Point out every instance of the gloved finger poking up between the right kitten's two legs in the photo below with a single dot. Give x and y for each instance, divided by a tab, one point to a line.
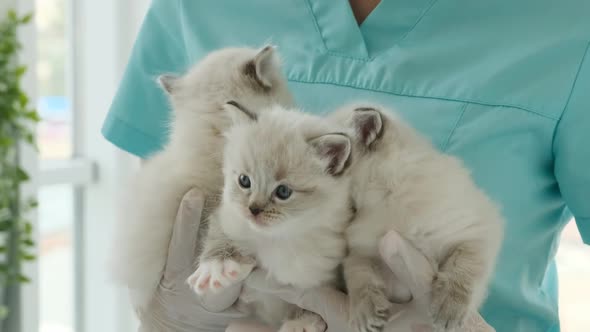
409	265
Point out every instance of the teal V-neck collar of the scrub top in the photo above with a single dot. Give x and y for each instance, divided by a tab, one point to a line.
389	22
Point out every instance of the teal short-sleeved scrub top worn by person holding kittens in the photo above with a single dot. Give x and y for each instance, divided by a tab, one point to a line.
504	85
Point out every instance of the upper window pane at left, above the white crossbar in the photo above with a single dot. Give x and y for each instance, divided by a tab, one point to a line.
54	131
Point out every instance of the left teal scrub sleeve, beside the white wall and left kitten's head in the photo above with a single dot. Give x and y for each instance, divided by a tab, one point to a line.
139	113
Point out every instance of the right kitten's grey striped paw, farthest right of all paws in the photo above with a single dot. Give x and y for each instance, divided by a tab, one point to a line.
450	303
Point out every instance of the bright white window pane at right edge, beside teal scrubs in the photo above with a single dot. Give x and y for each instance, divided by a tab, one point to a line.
573	264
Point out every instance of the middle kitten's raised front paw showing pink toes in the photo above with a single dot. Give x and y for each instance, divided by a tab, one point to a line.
215	275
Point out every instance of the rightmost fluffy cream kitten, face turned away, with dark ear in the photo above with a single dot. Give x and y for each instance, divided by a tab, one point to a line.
400	181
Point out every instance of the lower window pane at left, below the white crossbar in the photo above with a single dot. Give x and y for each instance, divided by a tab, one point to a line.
56	261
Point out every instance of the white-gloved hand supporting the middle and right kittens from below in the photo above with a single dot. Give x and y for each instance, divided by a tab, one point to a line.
411	268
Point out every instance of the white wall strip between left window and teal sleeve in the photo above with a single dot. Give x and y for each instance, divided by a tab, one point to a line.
105	33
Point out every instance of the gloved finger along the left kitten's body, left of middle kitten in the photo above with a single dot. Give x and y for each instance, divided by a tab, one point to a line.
183	243
